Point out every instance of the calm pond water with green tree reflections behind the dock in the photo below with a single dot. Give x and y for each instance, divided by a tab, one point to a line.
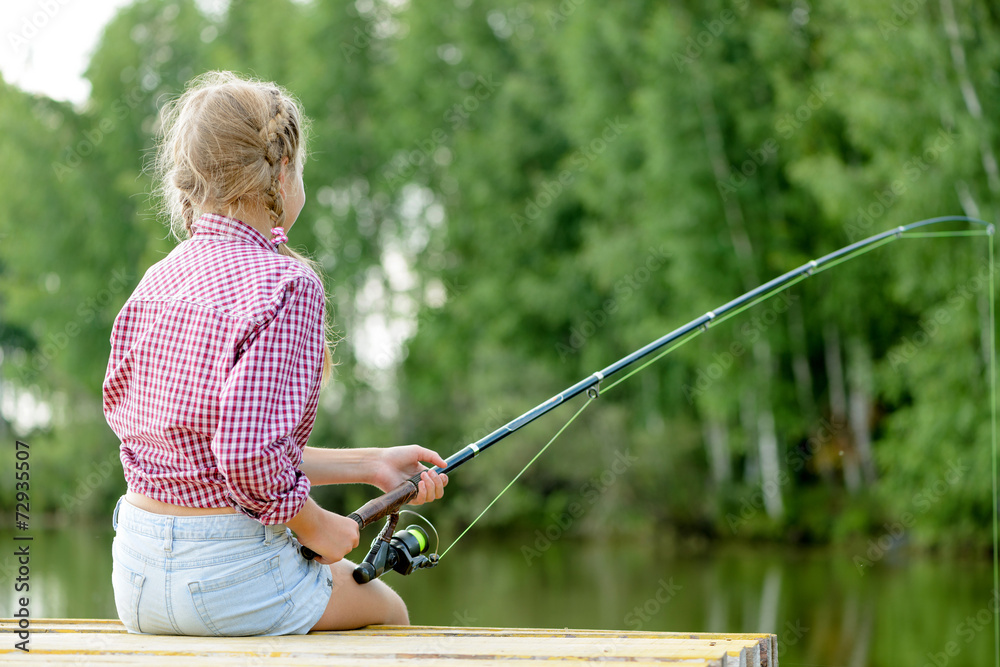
899	612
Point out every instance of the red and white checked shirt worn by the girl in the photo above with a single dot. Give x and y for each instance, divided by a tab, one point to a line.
214	375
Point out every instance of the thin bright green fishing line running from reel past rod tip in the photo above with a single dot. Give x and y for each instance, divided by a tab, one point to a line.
901	232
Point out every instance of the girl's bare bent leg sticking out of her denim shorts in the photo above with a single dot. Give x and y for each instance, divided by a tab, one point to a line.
354	606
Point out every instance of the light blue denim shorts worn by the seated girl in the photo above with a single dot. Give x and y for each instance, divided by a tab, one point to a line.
223	575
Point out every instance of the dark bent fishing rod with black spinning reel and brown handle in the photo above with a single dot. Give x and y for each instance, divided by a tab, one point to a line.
404	551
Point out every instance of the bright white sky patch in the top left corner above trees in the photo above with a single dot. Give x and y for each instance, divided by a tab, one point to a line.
45	45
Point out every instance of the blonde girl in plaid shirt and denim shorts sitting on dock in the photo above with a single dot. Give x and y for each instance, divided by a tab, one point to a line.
212	386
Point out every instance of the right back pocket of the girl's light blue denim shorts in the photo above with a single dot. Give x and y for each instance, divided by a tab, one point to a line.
248	601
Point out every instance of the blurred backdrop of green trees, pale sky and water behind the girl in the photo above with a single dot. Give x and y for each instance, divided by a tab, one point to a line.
507	196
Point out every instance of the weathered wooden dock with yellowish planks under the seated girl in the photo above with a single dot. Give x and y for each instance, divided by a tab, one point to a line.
105	642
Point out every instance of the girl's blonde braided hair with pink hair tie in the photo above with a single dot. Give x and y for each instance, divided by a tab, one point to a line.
223	145
